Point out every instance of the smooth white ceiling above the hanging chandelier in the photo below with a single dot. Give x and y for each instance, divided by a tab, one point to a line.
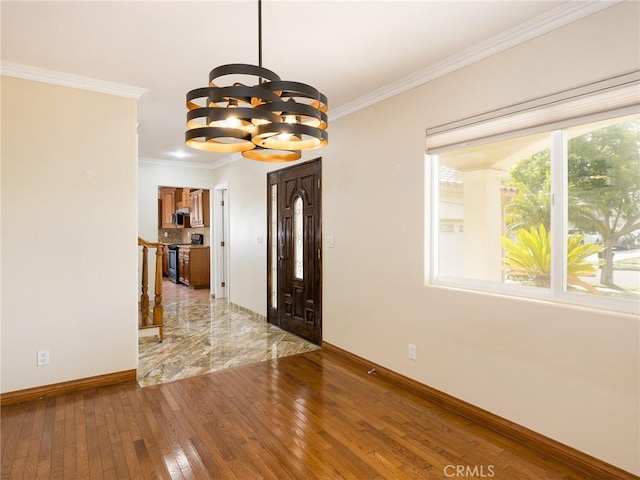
353	51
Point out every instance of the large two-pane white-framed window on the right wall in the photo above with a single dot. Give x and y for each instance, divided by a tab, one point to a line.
547	211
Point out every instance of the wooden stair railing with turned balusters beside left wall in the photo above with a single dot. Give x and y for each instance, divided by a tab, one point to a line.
145	318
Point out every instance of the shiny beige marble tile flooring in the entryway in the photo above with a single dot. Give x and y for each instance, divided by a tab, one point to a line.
202	335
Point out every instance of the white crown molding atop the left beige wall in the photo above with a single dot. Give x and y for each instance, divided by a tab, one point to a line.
27	72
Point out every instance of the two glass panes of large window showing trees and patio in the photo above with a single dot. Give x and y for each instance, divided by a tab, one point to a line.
495	210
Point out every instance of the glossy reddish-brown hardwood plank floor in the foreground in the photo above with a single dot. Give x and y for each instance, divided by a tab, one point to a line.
309	416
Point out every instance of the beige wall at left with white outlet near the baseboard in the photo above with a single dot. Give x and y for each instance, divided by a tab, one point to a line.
68	233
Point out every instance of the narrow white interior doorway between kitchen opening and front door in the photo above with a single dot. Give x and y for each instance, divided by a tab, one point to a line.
220	244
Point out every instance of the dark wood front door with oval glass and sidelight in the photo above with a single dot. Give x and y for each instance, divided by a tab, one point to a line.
294	258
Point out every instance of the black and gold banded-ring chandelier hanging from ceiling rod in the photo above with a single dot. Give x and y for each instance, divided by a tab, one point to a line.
249	109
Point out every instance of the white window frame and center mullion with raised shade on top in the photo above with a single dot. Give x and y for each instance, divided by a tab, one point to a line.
496	126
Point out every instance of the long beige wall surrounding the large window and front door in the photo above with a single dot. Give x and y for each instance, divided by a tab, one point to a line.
567	372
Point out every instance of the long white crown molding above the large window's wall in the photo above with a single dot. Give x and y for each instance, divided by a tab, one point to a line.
552	20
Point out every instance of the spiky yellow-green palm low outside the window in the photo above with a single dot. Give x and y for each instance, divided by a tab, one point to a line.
527	258
